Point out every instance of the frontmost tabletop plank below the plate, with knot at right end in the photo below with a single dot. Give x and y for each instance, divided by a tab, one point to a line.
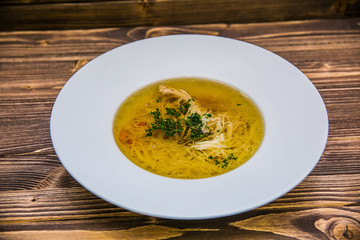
54	209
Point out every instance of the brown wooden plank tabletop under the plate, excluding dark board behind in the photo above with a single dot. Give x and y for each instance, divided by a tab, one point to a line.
40	200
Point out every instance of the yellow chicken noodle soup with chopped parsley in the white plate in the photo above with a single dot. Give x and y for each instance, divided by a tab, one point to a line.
188	128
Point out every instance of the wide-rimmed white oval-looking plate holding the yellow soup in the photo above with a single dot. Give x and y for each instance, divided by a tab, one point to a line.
295	118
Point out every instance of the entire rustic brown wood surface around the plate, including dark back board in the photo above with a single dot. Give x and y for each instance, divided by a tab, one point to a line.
40	200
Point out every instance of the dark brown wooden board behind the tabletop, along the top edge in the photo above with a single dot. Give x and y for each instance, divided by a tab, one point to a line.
70	15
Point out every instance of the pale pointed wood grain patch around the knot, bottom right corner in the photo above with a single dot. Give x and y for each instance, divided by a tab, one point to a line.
340	227
